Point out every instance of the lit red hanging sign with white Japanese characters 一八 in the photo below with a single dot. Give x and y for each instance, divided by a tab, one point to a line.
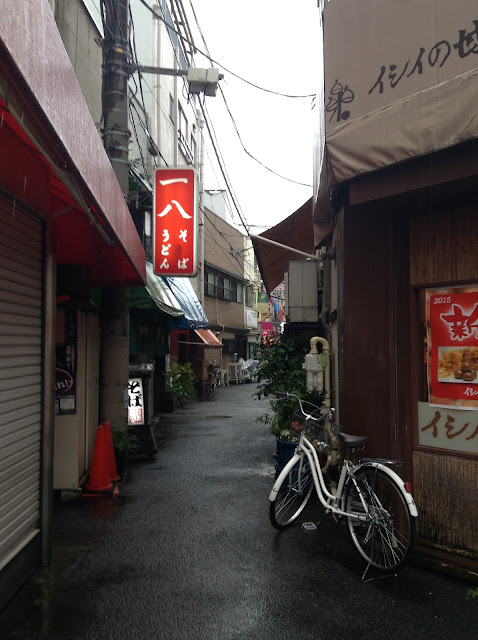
175	222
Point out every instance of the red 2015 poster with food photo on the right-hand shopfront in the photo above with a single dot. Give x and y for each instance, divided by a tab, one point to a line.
452	334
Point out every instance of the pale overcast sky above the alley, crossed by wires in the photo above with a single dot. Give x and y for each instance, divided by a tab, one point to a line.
276	45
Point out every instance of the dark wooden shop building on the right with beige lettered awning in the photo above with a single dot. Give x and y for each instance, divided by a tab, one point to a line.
396	218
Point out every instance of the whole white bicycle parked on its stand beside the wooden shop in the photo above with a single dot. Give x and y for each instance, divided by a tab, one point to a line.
377	504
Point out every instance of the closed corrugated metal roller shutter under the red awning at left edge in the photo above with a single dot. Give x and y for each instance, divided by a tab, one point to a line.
20	377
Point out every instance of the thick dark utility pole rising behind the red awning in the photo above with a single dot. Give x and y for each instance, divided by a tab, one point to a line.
115	300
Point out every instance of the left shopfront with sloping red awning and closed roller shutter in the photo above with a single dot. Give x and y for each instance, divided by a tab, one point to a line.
65	228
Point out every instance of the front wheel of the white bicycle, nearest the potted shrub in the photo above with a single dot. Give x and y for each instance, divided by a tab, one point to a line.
293	494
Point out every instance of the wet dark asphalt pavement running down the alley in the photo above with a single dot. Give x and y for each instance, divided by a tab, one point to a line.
186	551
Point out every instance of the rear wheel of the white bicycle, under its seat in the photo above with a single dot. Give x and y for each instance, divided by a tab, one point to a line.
387	536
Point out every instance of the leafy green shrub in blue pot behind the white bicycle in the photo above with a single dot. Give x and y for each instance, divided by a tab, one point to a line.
280	369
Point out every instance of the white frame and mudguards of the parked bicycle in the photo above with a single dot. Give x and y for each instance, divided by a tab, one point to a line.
331	501
